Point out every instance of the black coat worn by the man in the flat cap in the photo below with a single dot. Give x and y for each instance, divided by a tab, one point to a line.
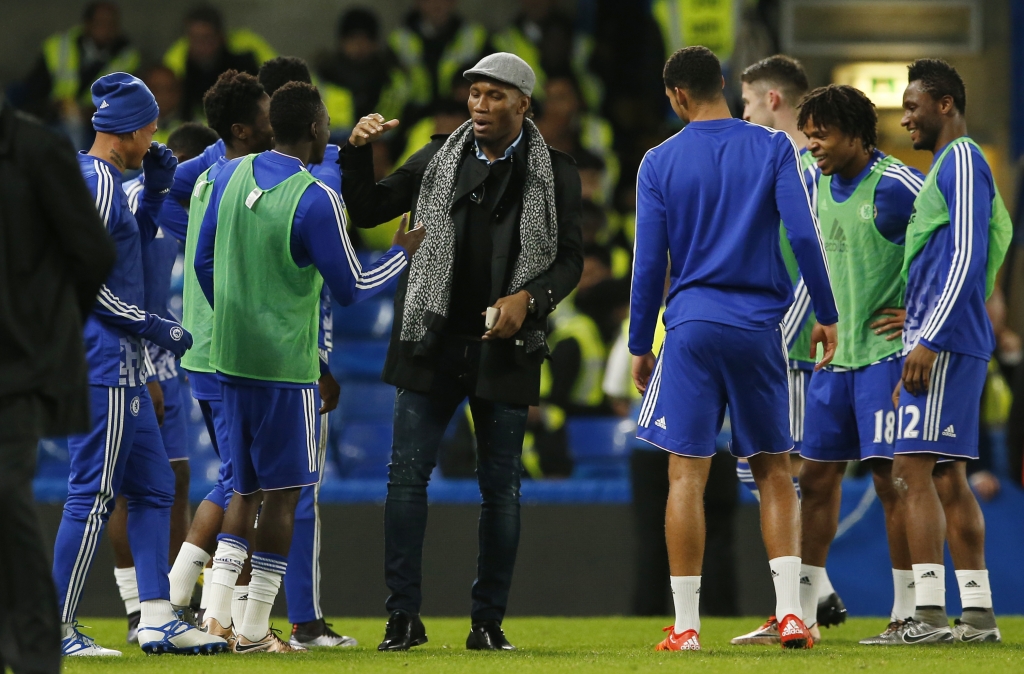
507	373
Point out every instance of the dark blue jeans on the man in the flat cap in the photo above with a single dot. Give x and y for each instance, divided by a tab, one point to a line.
420	422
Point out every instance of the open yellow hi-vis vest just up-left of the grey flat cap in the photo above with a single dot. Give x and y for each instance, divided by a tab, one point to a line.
464	50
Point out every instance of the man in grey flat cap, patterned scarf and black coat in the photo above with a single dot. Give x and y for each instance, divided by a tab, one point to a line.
503	247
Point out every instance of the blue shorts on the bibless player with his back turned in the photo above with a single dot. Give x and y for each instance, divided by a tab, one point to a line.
706	367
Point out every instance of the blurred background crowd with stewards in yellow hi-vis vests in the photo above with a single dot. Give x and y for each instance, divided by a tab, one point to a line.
600	99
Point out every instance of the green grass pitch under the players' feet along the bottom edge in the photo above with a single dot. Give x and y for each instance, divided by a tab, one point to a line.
576	645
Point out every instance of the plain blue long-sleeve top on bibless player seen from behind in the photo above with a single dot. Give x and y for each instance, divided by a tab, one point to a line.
712	197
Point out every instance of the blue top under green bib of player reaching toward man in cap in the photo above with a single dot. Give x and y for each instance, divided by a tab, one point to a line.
319	238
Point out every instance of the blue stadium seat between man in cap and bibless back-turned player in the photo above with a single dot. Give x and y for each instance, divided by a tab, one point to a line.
600	447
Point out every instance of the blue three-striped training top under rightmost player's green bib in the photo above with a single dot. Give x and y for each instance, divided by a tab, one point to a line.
946	286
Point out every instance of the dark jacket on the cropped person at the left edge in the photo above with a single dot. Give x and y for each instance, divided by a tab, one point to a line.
55	255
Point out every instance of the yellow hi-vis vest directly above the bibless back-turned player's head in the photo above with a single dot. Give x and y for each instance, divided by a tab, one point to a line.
688	23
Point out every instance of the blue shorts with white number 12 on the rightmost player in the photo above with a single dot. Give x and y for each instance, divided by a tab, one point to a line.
945	420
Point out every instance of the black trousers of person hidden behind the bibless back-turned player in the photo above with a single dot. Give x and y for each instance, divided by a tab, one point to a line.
652	595
